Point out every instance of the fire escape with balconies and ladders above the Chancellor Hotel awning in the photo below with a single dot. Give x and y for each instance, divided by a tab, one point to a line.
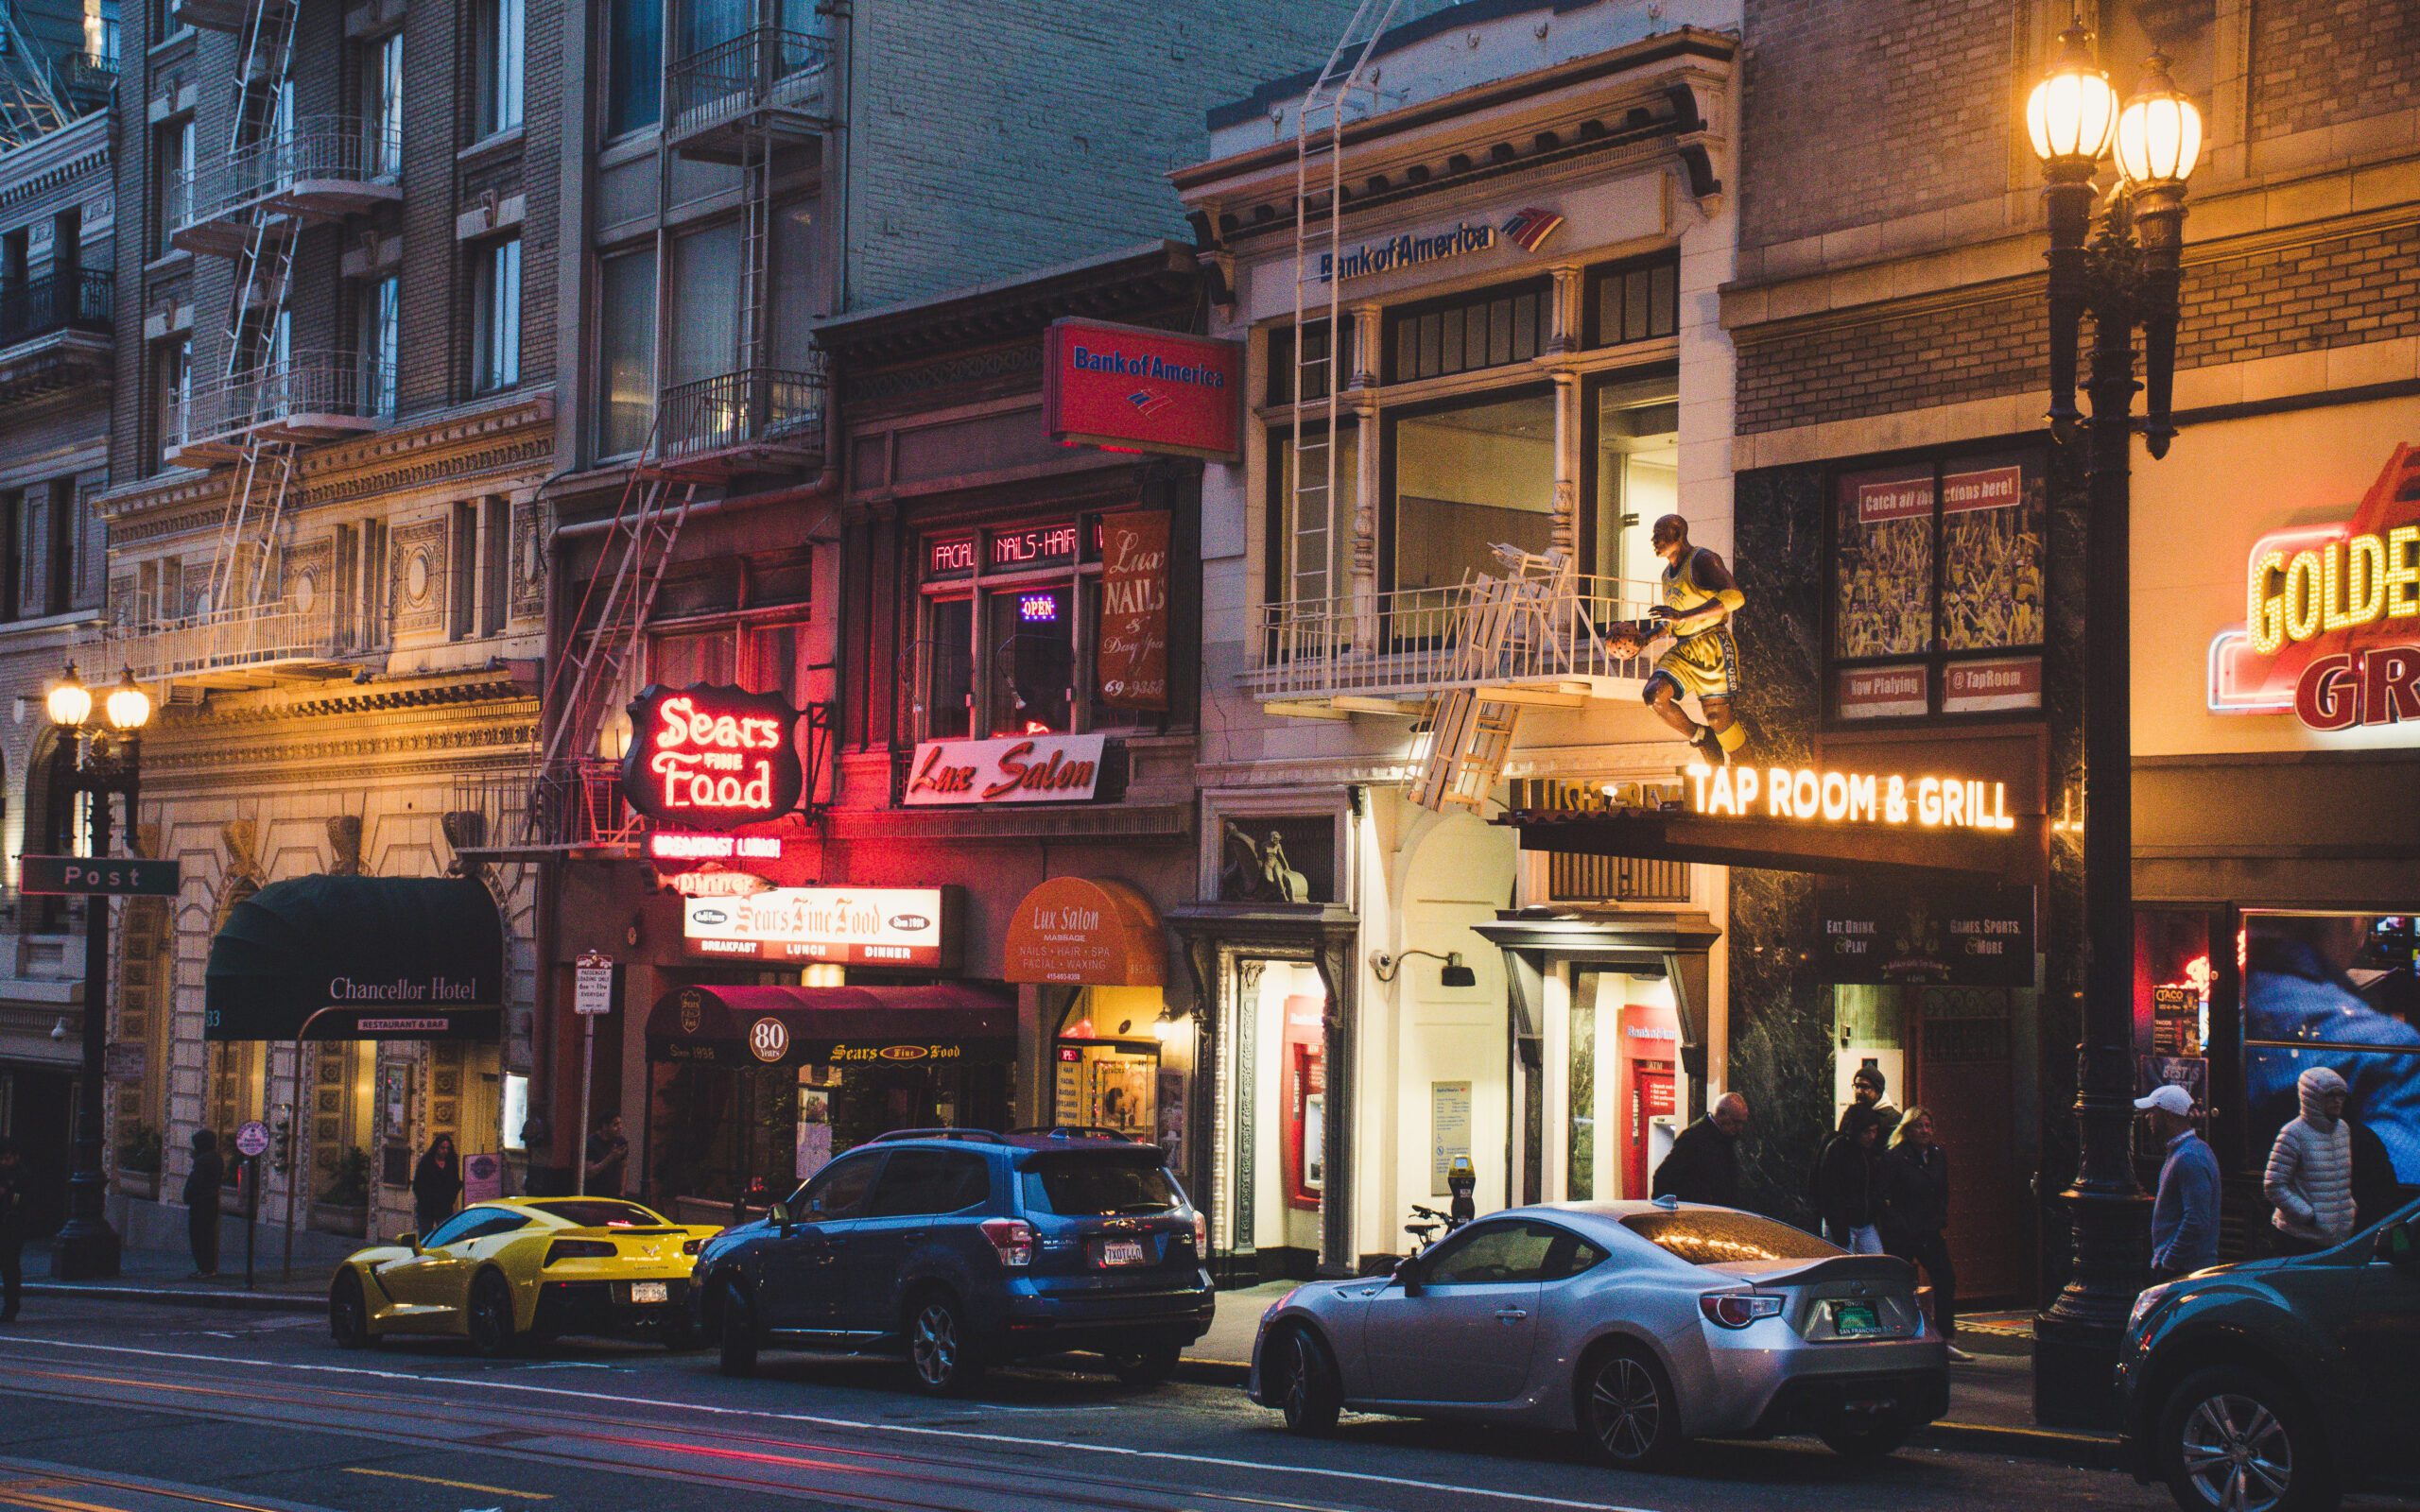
267	400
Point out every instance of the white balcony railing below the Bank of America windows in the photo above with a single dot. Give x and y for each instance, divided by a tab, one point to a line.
1410	645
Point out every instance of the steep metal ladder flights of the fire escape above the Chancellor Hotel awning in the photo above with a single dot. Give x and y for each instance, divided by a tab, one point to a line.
258	345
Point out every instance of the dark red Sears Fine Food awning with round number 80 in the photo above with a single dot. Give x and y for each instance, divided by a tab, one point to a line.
790	1027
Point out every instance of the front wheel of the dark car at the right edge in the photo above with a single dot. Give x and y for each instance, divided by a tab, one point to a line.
2235	1441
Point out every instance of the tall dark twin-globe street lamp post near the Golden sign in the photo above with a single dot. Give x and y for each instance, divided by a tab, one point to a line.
2111	258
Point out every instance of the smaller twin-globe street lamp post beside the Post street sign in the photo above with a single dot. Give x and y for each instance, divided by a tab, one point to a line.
108	761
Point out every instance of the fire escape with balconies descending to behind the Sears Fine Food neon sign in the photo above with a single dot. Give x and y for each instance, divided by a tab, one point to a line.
749	103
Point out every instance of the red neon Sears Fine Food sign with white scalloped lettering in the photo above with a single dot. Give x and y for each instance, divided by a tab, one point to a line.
713	756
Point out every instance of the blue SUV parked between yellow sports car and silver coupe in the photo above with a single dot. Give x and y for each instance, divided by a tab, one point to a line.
967	1250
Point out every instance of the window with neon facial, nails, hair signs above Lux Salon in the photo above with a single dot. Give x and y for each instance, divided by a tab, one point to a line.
1013	633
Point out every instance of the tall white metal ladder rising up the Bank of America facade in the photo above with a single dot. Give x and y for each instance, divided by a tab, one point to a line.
1318	379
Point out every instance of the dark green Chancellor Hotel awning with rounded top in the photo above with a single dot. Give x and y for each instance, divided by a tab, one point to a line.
359	959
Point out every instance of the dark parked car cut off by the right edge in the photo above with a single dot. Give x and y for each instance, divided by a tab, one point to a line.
2278	1385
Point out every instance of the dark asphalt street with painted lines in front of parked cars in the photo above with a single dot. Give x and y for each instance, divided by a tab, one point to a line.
129	1407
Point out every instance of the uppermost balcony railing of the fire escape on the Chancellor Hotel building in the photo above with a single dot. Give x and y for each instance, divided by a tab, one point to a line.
321	168
